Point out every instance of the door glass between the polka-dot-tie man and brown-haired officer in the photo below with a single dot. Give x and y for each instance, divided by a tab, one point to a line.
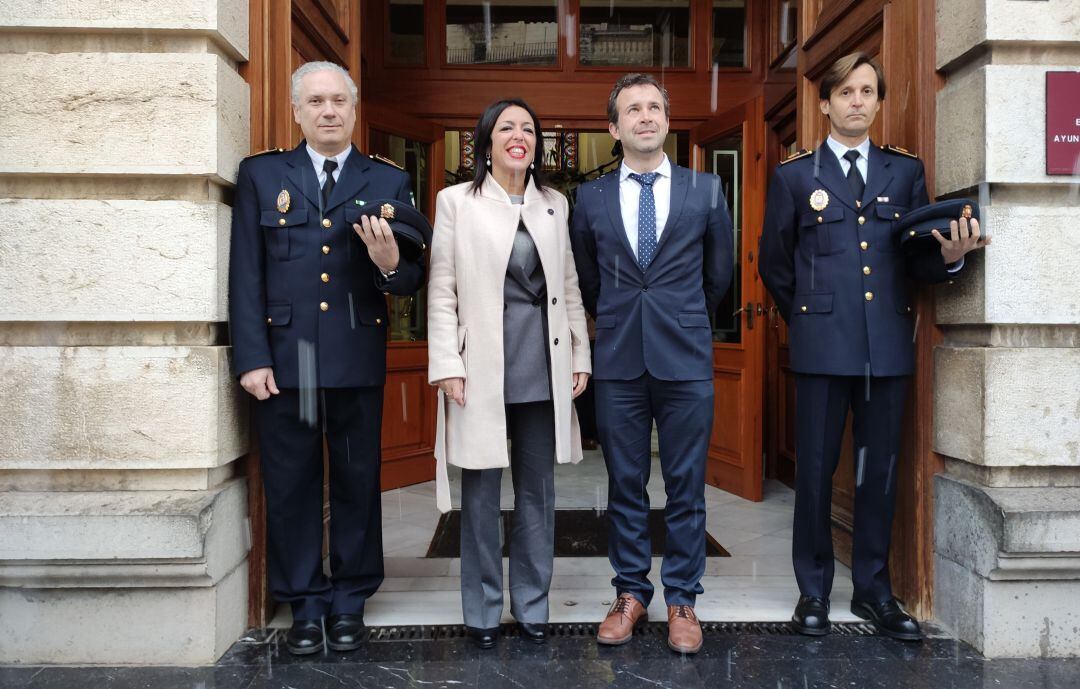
724	158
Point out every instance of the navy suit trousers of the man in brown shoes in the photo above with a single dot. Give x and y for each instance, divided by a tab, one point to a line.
683	412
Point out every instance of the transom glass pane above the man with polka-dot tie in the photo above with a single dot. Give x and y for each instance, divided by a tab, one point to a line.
636	33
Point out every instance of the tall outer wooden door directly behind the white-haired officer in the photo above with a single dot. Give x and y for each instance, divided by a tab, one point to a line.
285	35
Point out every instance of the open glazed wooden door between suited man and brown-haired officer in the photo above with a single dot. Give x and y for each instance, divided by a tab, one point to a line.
731	146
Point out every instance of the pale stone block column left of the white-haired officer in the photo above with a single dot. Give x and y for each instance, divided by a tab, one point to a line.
124	528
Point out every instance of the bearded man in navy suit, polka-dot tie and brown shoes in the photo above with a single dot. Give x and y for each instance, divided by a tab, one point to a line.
654	249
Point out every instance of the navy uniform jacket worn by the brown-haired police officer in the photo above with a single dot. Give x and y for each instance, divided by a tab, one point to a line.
838	273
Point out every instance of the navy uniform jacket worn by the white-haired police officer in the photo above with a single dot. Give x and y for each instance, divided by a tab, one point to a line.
304	296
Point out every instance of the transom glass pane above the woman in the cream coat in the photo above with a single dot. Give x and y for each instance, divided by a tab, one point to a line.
502	33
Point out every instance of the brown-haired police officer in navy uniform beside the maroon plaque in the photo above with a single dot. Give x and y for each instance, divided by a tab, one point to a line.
831	259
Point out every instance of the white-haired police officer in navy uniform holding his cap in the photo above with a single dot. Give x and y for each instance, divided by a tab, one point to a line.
307	314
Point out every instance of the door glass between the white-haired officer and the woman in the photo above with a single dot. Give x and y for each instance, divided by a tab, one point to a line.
409	321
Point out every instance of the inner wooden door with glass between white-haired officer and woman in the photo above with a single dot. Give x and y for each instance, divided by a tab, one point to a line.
409	411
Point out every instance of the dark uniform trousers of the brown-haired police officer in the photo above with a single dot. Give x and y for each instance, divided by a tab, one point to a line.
822	404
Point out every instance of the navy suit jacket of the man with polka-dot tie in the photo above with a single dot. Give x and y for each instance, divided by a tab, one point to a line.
655	320
